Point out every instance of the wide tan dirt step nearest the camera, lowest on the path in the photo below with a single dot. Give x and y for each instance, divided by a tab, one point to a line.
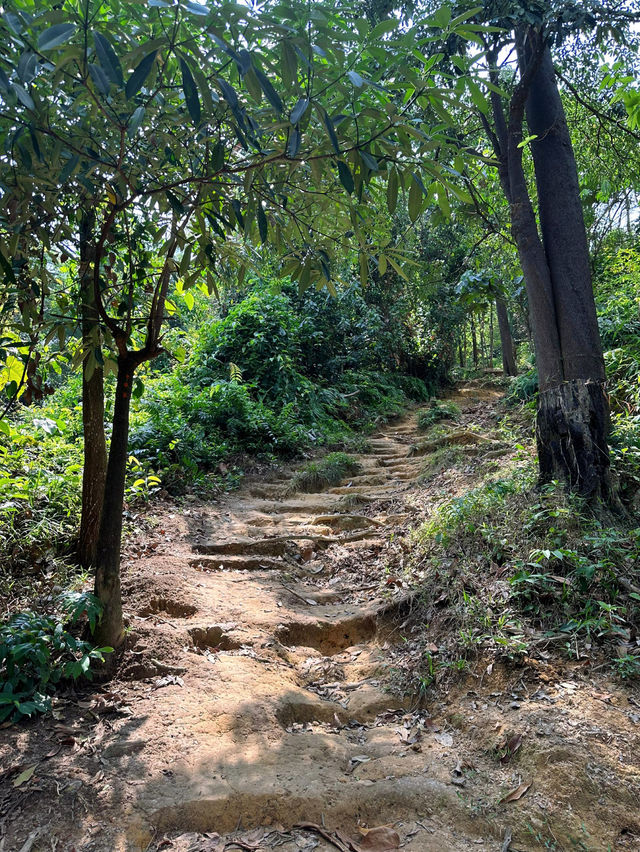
264	798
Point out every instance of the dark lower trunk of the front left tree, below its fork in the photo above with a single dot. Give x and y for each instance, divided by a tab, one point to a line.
110	631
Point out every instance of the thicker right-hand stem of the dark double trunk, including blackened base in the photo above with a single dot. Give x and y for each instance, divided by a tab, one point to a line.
573	417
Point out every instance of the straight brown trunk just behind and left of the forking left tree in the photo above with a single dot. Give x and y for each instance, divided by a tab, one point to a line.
95	450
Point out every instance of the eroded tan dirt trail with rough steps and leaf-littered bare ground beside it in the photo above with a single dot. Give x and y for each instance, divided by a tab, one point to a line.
259	702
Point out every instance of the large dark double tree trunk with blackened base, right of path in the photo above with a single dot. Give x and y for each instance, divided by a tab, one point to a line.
573	418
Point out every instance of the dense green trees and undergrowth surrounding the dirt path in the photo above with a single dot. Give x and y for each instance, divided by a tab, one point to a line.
221	261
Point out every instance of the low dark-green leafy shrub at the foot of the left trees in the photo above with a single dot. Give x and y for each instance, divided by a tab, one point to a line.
37	652
